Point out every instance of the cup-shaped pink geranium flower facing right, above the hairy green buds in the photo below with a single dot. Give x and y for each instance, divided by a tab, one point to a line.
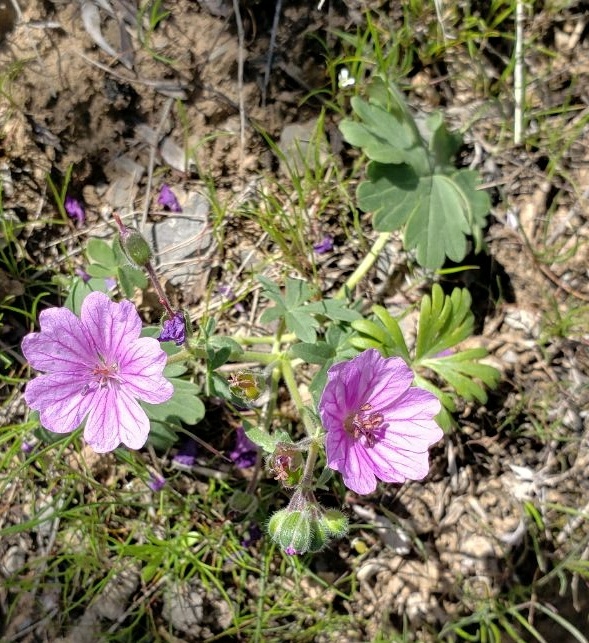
377	424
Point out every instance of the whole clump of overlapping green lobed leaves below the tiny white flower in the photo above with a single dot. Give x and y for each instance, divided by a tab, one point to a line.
411	182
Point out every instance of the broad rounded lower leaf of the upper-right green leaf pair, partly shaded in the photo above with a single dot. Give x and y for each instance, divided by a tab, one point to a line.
438	211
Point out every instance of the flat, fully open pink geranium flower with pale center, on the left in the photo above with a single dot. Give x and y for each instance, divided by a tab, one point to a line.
96	368
